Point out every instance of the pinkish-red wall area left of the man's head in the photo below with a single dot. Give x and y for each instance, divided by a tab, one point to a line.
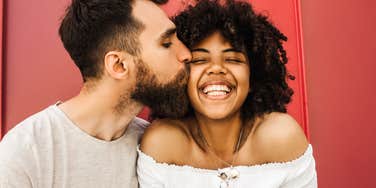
37	70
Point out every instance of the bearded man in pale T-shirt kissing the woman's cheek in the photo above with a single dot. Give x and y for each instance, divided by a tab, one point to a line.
129	56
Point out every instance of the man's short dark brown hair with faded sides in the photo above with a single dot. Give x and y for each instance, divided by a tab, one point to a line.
91	28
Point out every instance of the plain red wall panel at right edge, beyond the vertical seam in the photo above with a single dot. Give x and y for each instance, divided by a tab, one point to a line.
340	44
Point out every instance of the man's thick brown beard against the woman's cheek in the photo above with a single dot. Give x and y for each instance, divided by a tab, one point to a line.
168	100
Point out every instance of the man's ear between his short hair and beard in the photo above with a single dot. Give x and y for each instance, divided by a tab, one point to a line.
116	64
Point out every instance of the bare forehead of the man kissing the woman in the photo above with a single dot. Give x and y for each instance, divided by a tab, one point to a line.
151	16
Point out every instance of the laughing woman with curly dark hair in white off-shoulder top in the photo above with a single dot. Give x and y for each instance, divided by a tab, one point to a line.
238	134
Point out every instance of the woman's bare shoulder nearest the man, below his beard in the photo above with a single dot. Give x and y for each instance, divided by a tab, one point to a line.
166	140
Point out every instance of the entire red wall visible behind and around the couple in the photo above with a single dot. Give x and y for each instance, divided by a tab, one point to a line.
338	40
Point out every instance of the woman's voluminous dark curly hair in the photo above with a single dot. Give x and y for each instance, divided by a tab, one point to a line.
244	29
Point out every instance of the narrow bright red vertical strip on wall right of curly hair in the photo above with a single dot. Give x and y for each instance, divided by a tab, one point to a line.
303	89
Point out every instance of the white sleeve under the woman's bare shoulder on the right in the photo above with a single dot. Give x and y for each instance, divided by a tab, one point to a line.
303	172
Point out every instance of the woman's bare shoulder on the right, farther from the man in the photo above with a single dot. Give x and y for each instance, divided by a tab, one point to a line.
279	138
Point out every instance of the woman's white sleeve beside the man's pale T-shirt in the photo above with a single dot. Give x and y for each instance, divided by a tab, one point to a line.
149	173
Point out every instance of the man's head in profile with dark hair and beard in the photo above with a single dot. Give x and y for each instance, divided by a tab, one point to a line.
125	41
